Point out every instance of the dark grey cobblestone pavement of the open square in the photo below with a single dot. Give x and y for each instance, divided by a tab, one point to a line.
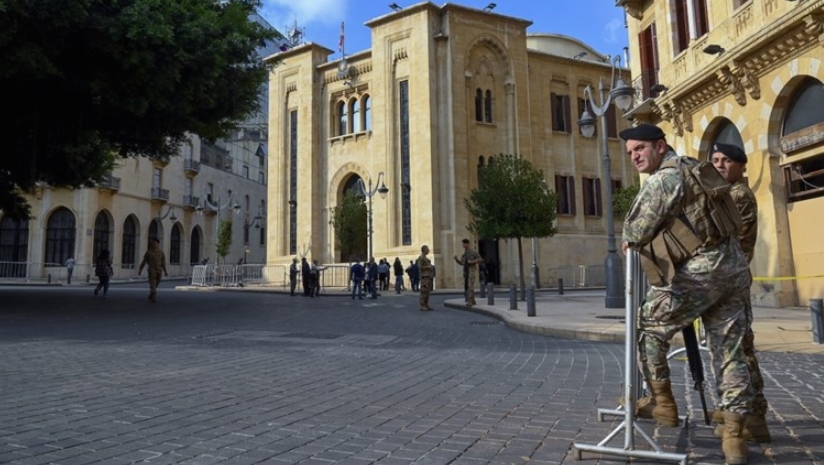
228	378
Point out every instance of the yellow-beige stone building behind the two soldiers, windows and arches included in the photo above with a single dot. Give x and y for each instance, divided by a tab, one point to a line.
747	72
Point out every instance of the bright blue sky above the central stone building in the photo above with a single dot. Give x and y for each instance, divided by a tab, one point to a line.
598	23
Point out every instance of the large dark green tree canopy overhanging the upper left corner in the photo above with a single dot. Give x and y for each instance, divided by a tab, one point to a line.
91	81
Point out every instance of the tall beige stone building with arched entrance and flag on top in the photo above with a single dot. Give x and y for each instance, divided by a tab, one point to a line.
443	90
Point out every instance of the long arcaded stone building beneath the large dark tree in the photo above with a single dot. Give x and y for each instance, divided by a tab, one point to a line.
142	199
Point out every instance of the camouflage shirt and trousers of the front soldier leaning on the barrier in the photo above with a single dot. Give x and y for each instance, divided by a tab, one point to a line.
714	284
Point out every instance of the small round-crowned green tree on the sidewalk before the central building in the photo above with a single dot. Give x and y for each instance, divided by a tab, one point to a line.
512	202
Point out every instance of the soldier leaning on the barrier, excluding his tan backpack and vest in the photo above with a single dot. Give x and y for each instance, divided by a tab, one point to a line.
713	283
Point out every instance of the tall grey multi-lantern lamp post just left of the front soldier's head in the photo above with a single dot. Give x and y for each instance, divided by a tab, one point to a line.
622	94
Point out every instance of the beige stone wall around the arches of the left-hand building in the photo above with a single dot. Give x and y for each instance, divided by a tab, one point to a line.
134	198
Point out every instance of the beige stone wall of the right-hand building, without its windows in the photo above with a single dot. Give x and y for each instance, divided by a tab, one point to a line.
770	47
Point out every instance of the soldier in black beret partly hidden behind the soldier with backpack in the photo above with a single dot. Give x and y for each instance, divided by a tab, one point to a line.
731	161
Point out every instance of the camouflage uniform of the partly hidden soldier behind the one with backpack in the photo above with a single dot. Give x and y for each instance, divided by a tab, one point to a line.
745	201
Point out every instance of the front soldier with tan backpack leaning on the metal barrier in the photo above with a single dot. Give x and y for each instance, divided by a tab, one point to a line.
697	269
